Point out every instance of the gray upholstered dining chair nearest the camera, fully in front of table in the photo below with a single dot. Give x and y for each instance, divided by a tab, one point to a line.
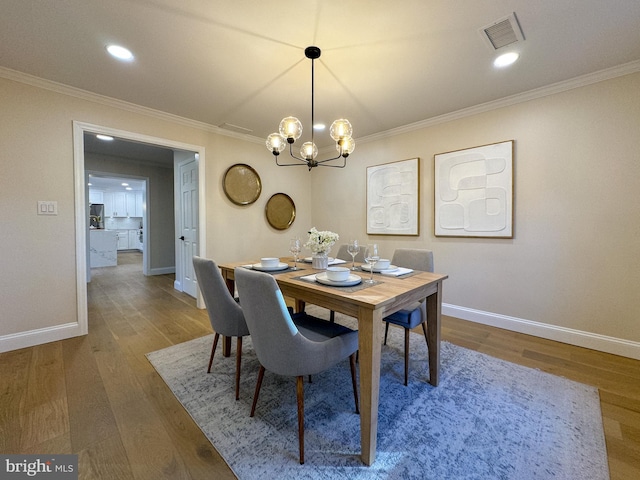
291	346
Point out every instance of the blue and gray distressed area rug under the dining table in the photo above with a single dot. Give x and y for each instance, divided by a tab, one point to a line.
488	419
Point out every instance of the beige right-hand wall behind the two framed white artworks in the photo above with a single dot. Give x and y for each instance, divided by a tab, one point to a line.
572	270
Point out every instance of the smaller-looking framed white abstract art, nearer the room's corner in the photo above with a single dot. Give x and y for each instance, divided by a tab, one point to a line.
393	191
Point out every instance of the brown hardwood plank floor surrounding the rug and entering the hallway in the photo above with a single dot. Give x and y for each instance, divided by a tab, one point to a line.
99	397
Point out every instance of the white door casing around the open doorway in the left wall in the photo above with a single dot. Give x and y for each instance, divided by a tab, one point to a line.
81	196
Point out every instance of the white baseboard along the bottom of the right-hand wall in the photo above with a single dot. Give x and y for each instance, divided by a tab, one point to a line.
603	343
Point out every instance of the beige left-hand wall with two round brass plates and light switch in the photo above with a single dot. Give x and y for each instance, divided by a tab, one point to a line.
38	281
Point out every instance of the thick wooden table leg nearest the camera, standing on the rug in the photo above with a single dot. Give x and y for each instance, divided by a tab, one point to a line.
370	339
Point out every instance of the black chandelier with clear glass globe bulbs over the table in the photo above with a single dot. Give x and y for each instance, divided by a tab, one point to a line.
290	130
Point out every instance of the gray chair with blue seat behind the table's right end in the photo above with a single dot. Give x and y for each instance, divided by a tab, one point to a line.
415	314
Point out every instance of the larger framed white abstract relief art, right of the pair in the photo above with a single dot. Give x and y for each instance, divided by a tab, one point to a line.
474	192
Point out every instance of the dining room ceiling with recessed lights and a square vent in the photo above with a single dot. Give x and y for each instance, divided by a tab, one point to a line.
384	64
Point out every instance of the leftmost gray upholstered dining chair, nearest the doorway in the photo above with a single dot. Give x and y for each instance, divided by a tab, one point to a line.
225	314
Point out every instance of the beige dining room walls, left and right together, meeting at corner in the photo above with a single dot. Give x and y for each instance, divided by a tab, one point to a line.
570	272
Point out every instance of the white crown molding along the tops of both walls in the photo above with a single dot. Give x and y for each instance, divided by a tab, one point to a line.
577	82
